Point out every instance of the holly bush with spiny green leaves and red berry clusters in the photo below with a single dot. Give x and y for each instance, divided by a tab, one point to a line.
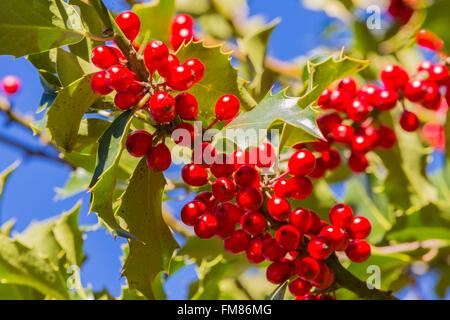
306	179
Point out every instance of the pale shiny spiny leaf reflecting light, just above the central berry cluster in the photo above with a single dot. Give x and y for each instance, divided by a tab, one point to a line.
272	110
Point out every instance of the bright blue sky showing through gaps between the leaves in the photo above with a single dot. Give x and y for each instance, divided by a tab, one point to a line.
30	193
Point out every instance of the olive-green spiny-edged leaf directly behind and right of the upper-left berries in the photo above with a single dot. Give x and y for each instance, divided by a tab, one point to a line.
220	76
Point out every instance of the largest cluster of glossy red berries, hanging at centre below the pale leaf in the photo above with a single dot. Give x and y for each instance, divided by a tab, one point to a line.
254	216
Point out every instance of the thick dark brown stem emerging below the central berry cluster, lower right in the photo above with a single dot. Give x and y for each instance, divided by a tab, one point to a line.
348	281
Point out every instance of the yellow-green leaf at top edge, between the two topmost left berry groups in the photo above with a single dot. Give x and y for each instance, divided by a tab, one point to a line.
156	17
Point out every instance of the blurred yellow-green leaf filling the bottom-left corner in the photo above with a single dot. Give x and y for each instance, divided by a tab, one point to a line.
24	266
